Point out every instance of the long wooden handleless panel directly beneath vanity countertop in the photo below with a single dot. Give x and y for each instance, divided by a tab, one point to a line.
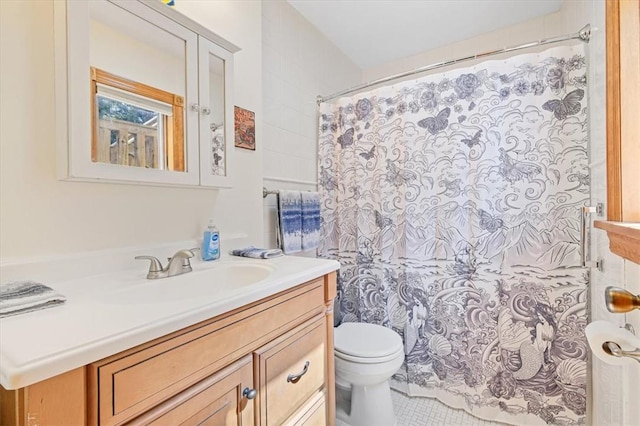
131	383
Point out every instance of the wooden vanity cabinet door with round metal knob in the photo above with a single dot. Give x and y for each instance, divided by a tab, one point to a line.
219	400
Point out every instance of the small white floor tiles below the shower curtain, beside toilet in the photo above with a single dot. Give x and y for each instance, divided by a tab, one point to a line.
429	412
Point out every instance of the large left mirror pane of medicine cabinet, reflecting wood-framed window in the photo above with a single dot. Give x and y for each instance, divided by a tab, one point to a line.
138	88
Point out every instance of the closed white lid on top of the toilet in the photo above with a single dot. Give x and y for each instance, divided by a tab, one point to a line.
366	340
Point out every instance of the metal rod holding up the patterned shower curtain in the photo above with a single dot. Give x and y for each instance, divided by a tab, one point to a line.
584	34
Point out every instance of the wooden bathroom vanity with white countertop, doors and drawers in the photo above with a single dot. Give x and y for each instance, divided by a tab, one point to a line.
266	361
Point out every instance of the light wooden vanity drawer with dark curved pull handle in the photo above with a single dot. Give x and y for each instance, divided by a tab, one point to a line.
290	371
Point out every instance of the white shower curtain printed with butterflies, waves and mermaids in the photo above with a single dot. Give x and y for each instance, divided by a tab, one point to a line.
452	203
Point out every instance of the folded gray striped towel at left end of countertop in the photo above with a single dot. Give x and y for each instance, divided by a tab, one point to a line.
18	297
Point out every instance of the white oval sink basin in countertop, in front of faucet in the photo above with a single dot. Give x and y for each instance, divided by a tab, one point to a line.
204	281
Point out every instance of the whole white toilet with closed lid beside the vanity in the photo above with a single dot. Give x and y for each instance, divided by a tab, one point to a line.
366	356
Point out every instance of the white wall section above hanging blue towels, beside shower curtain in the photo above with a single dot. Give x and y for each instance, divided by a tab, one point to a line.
299	64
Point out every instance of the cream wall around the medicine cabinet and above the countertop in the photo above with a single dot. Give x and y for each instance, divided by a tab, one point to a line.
40	215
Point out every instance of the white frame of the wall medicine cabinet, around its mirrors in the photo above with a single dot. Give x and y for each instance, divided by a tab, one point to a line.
73	99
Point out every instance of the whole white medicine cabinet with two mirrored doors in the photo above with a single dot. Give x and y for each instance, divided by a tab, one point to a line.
143	95
